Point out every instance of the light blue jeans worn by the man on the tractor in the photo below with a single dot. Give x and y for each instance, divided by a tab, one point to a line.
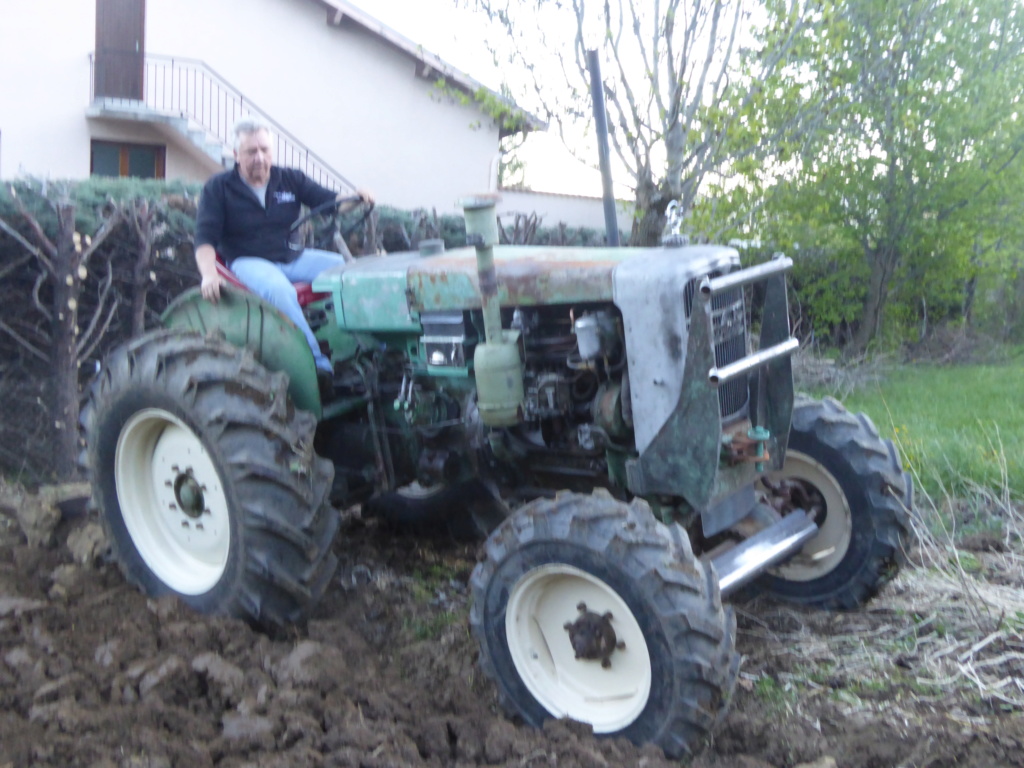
273	283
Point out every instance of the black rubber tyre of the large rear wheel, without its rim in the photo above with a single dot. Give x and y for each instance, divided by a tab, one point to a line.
266	450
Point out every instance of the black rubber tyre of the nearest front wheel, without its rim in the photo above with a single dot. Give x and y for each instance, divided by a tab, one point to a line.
681	592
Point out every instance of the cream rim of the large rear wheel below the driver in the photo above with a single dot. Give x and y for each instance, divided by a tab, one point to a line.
183	536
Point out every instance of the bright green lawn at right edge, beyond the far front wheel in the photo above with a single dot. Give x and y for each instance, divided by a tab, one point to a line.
957	429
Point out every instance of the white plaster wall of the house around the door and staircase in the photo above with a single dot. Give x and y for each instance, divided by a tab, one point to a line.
351	98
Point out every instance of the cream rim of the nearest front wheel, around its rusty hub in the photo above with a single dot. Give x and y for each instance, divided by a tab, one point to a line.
540	606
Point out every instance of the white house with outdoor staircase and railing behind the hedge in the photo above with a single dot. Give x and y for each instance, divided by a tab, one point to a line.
152	89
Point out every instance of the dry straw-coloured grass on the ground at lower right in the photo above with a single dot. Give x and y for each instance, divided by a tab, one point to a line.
950	628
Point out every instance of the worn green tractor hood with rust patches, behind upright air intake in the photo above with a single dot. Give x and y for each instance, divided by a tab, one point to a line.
389	293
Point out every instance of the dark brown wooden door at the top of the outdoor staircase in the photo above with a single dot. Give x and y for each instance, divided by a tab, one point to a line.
120	49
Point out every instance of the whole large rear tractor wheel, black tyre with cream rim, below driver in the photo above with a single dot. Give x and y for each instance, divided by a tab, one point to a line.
206	480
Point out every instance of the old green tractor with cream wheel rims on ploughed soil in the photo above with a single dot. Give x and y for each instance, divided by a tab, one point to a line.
598	413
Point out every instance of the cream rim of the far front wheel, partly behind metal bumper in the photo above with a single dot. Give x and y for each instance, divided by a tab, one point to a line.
823	553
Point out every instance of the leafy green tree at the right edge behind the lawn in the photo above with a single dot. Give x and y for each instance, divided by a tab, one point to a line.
922	157
